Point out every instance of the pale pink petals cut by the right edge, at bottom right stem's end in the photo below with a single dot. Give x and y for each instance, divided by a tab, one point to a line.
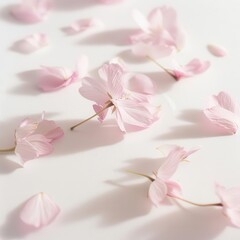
230	199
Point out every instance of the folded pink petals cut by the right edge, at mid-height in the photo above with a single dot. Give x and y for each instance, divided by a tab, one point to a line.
224	111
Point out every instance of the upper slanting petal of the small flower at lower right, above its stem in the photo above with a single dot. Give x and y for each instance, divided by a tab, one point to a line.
170	165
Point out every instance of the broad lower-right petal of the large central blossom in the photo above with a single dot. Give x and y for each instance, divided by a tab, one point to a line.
134	114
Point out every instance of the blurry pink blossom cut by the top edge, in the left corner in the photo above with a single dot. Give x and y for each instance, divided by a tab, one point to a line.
31	11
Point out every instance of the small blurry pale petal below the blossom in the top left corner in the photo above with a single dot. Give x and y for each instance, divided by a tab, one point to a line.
32	43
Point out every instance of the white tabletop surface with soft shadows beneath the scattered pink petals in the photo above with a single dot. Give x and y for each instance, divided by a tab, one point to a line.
85	173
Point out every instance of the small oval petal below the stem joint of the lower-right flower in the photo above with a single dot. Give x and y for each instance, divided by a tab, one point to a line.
157	192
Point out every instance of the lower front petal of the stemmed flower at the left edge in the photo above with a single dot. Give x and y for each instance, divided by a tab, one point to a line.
32	147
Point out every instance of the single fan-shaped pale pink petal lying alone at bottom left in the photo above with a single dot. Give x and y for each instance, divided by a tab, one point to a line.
39	210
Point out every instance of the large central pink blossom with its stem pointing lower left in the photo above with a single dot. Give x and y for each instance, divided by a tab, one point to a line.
128	95
